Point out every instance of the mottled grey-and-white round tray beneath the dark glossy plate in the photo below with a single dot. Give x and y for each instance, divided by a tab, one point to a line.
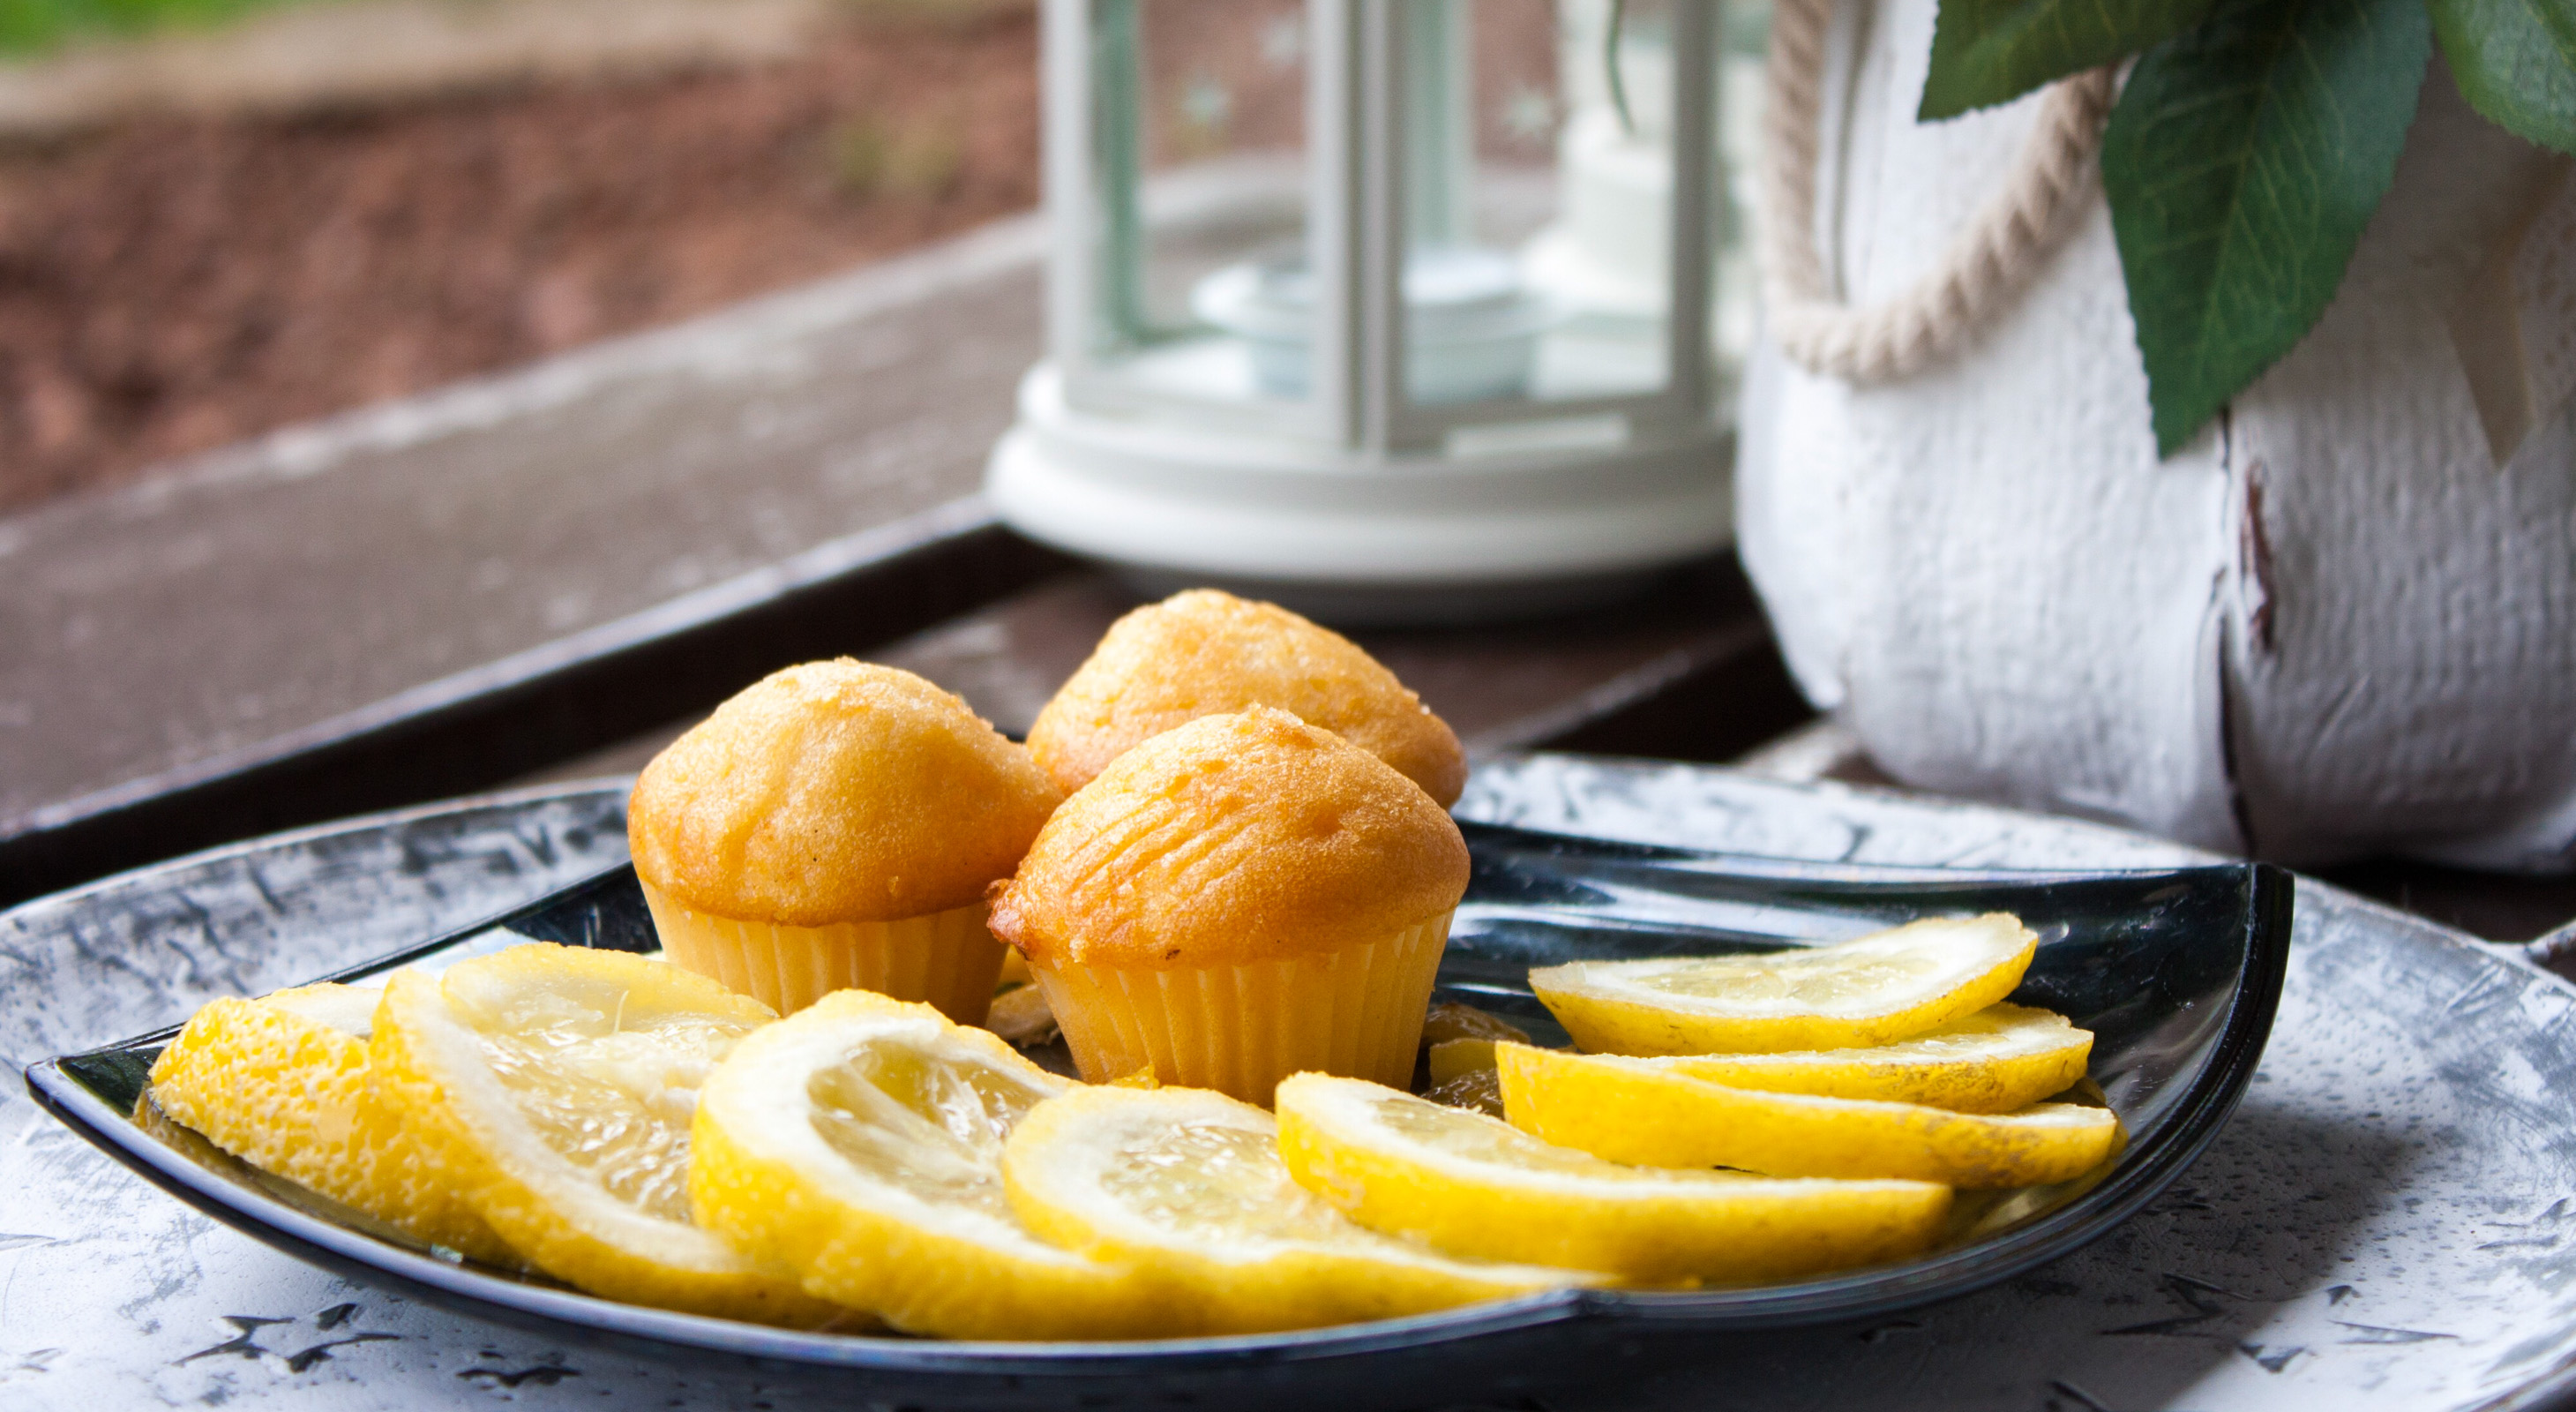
2384	1225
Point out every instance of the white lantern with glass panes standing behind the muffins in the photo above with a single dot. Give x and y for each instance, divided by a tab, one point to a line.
1397	310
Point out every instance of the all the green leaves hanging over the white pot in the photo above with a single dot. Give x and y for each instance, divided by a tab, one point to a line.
2250	146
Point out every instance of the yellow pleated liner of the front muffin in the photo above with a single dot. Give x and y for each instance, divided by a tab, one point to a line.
1243	1029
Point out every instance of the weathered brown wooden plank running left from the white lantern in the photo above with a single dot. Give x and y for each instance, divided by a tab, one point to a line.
341	566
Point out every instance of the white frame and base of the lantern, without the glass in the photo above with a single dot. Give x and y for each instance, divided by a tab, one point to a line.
1359	499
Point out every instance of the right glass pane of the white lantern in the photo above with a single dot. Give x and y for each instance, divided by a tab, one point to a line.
1537	200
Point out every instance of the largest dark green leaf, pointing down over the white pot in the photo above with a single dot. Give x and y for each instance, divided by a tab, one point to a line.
2242	166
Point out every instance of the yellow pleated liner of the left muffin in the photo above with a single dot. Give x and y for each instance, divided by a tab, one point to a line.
944	957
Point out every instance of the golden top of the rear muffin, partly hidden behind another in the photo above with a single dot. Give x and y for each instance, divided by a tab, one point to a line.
1207	653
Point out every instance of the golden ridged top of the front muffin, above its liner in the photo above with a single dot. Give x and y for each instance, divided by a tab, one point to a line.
1233	839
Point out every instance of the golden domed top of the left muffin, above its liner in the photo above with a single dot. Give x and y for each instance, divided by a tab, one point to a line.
836	792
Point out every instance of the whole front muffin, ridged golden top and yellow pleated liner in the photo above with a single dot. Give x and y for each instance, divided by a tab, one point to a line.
1238	901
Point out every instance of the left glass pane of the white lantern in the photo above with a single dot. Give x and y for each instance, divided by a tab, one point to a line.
1199	133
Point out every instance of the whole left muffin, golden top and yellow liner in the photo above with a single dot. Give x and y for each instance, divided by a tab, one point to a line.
836	826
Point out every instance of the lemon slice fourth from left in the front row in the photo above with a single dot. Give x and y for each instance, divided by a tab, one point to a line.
1191	1184
